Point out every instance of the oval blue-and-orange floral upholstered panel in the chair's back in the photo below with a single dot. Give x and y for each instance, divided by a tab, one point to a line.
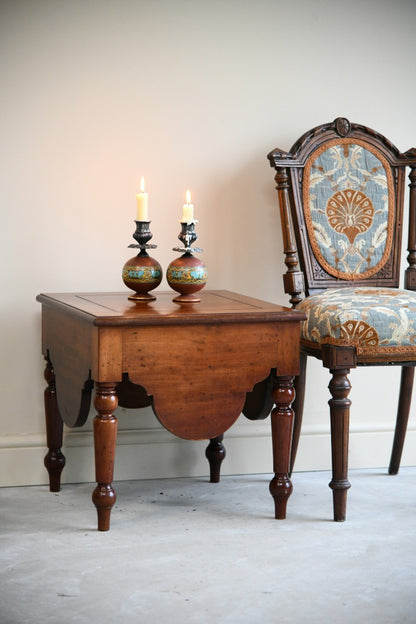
348	201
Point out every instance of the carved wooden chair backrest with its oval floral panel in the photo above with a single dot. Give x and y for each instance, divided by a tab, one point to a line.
341	190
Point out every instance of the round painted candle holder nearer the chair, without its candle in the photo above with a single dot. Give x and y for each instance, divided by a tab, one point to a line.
186	274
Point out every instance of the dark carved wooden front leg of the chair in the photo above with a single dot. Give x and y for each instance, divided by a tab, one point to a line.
339	387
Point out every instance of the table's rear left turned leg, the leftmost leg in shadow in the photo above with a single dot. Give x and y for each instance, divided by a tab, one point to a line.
54	459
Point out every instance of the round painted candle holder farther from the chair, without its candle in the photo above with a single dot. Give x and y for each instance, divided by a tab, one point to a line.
142	273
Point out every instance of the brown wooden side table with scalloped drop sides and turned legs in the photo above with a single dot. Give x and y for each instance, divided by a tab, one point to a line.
194	363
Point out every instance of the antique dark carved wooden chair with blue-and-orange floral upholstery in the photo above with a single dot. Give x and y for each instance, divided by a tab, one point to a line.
341	194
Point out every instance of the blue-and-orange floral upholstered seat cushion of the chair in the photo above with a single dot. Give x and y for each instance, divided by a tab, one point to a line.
374	320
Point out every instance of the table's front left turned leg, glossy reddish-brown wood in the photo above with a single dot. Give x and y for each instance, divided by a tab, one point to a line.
105	435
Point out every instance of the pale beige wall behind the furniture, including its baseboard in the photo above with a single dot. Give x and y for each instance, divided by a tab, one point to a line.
188	93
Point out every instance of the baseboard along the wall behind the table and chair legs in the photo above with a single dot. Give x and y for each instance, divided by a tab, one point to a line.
154	453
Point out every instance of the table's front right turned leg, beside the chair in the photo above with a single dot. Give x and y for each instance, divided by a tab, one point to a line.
282	418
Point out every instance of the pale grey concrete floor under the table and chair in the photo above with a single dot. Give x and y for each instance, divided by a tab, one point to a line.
185	550
